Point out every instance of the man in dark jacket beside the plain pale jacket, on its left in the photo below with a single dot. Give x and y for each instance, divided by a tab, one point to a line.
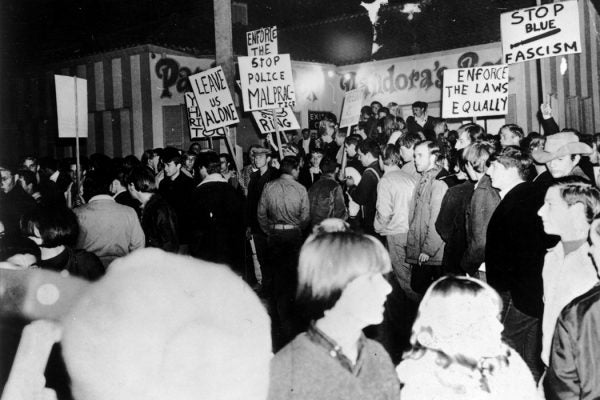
365	193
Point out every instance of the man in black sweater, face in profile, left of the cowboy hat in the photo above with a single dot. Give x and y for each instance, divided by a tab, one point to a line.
514	253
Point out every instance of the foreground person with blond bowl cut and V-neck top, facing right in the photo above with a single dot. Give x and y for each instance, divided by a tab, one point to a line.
341	290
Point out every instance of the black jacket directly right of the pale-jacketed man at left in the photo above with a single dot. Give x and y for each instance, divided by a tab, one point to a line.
159	223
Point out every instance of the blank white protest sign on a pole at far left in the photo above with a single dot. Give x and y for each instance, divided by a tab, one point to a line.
66	110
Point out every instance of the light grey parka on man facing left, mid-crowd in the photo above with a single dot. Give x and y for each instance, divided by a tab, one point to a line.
424	210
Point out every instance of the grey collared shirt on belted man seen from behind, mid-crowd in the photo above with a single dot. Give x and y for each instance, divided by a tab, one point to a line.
283	201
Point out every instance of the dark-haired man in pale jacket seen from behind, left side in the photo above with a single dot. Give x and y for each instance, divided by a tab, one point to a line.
107	229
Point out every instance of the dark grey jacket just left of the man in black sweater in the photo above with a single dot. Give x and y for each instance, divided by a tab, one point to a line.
478	213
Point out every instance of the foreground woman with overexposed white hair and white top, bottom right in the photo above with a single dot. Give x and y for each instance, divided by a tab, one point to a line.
457	351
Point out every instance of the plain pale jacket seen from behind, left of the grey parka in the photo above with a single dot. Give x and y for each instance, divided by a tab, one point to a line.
394	195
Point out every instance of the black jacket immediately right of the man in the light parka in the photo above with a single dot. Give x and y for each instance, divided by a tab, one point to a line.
450	224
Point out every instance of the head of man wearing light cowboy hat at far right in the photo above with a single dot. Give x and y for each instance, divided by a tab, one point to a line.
561	154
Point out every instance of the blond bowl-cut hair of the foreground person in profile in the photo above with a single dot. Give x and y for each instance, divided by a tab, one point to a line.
329	261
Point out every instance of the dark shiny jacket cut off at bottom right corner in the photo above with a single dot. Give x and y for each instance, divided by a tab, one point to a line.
574	372
